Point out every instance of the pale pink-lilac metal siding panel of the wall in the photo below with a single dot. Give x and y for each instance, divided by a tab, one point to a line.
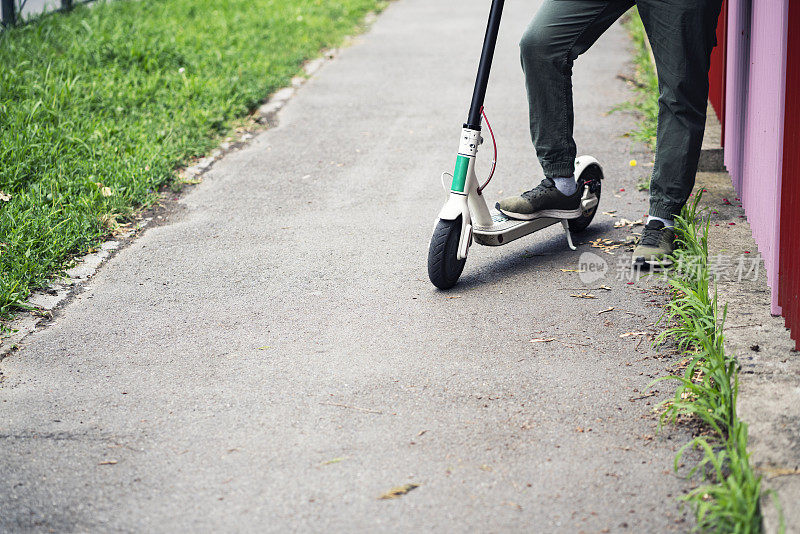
754	119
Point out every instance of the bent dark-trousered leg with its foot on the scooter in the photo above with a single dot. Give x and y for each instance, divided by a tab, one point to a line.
558	34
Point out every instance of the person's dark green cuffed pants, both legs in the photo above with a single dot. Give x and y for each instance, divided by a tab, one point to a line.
682	34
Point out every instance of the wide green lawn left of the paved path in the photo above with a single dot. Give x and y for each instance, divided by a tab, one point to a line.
98	107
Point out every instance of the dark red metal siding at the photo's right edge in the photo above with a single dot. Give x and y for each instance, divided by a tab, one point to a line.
789	277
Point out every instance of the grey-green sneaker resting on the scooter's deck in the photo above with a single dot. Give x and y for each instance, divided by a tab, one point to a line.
544	200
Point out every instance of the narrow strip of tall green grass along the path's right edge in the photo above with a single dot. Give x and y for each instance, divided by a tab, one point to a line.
729	498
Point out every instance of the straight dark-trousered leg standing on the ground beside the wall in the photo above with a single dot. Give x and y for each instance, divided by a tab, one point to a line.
682	35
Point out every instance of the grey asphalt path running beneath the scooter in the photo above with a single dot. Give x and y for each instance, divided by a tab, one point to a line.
275	358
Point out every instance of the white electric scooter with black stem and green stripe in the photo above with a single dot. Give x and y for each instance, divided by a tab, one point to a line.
466	216
